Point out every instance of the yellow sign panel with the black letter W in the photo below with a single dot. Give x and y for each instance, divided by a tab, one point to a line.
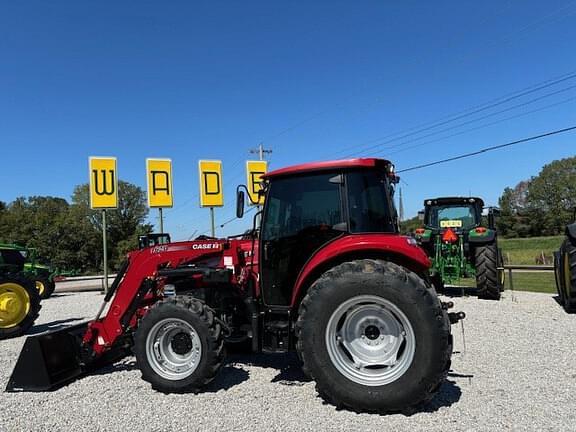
103	183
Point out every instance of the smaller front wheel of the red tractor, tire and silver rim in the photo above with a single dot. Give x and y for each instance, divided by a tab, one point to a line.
179	345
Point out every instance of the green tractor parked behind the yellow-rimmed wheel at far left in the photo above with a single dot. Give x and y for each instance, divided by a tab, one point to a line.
42	275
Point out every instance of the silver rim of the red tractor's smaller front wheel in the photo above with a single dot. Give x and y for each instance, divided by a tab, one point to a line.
168	362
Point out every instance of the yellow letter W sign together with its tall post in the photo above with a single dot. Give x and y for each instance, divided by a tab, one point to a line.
103	195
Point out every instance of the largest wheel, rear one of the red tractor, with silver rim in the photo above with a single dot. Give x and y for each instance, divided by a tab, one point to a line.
374	337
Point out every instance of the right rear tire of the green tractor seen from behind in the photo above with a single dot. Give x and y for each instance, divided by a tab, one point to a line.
488	277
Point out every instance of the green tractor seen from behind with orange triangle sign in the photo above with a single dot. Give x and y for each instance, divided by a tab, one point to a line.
460	246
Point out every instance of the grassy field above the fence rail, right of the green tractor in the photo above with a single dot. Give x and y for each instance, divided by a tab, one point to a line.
527	250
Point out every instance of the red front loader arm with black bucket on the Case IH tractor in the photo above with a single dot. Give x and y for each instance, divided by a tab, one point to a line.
49	360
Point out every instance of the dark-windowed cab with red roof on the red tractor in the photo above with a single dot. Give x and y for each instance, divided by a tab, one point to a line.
308	206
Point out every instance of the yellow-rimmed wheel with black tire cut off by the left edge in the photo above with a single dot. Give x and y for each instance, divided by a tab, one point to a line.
19	305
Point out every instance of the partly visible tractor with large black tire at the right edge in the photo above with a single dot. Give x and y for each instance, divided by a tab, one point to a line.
565	268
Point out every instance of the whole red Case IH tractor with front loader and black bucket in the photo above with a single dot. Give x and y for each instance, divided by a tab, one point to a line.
325	274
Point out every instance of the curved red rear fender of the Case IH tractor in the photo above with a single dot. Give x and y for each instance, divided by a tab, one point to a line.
388	246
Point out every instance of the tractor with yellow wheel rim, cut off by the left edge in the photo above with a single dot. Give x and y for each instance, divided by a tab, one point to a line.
19	298
